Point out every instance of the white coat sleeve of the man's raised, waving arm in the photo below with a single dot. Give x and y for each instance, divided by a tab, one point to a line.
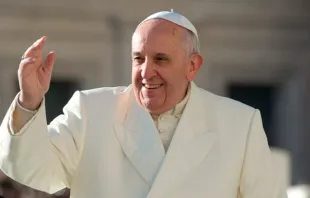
41	156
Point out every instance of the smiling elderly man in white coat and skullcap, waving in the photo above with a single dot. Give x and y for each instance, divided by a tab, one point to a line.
162	136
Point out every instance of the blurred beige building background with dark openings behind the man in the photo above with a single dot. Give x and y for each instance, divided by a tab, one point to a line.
255	51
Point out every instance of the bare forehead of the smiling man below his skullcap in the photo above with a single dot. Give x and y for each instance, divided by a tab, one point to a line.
158	35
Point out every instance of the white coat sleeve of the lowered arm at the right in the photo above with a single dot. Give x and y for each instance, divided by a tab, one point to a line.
260	178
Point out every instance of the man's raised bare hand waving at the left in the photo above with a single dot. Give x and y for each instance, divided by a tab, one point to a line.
34	75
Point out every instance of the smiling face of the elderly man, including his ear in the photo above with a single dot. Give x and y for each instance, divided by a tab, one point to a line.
161	64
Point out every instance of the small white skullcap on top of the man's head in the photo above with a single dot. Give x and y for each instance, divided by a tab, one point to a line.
174	18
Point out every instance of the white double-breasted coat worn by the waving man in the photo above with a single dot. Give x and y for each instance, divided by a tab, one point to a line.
106	146
